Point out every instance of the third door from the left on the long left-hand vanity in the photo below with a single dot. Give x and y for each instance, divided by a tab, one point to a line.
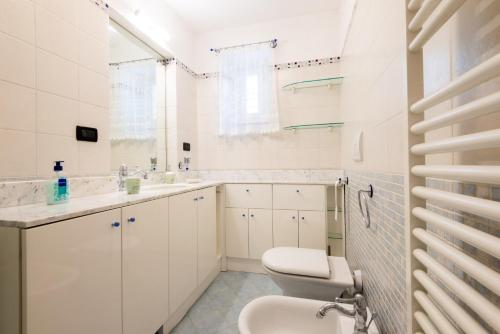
182	240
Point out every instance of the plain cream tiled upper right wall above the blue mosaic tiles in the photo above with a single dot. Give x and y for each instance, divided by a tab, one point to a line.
373	96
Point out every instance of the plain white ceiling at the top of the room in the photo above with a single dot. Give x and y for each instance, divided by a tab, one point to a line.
204	15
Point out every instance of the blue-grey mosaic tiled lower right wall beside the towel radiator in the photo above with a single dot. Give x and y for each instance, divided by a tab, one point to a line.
379	251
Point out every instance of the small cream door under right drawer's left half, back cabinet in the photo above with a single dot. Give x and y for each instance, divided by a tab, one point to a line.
285	228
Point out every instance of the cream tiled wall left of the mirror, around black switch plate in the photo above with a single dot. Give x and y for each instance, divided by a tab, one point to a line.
53	76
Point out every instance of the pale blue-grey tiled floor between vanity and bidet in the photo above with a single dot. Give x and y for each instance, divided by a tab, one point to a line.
217	310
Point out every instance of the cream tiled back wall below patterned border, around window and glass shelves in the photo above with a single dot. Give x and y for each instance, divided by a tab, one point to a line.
304	149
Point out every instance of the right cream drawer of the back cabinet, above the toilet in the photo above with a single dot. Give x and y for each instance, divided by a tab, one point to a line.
299	197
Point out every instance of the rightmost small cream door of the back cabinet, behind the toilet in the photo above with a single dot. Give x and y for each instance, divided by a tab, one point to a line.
312	229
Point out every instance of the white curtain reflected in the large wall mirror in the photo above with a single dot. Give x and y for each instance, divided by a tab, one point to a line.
132	101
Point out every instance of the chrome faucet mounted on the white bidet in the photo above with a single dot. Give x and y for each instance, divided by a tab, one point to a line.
359	313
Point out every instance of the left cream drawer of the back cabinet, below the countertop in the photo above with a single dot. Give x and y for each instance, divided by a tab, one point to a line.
256	196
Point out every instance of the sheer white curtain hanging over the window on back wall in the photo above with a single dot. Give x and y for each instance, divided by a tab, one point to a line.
247	91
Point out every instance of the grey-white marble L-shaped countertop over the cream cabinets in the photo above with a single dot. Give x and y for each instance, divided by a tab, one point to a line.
27	216
